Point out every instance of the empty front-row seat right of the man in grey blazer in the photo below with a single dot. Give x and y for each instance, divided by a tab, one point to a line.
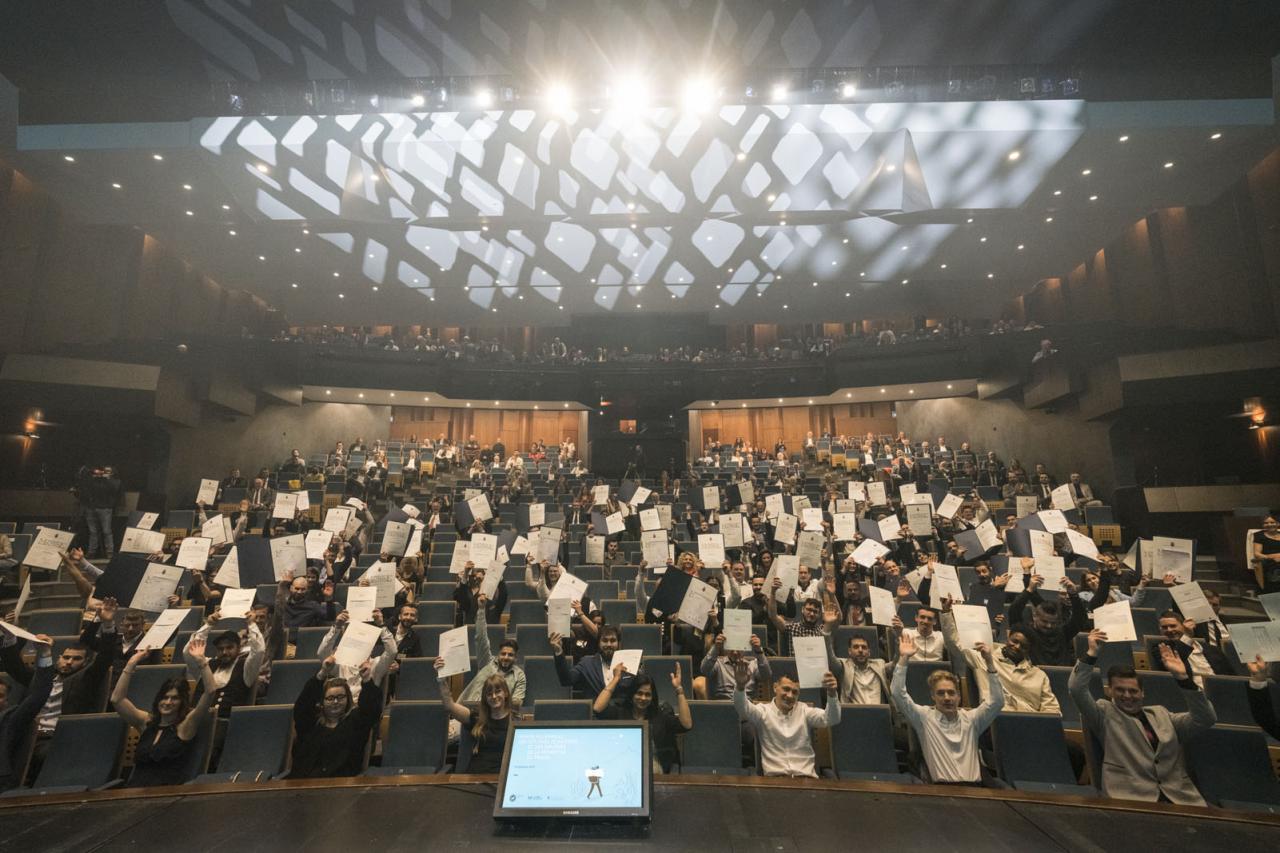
1232	768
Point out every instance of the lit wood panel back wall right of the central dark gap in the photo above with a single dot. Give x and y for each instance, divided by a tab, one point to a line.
765	427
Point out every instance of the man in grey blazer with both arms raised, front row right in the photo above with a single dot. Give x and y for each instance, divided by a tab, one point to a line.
1144	756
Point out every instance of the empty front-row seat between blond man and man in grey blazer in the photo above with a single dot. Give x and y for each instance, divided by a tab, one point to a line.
1031	754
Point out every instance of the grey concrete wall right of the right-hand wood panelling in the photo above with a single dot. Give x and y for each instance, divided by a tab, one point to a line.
1063	443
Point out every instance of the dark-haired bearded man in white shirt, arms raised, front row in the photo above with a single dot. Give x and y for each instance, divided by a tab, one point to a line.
783	728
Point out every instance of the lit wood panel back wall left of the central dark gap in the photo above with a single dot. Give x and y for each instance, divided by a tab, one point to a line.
518	428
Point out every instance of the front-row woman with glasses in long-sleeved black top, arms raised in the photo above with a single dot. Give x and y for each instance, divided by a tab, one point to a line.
331	731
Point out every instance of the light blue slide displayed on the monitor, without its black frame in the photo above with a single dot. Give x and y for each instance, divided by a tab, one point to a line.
575	769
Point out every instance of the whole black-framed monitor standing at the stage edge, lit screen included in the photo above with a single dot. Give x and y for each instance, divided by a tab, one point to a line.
574	770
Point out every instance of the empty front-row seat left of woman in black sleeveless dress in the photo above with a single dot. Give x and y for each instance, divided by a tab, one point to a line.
84	755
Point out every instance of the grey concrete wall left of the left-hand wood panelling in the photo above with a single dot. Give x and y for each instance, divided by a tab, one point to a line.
267	439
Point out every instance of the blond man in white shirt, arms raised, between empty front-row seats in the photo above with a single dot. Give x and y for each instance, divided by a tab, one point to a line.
948	733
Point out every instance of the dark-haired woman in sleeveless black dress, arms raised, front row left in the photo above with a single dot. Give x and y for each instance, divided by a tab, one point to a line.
168	731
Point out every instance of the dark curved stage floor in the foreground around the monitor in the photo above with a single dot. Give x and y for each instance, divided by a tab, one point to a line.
697	814
